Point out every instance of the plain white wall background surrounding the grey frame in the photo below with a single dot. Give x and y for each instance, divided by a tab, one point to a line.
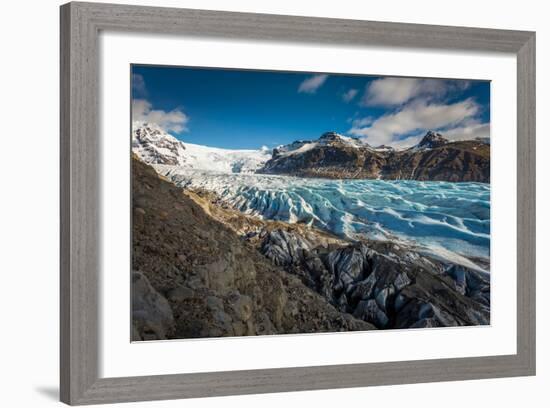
29	158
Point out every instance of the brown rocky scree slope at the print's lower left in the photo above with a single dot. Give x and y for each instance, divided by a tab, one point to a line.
195	277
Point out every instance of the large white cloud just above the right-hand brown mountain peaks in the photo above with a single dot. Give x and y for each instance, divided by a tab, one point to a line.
418	116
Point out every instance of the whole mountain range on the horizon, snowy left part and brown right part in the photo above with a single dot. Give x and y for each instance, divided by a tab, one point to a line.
332	156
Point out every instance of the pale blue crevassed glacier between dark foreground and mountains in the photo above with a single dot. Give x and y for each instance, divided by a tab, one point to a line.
444	219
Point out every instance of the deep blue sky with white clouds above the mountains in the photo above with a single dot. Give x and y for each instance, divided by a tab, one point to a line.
243	109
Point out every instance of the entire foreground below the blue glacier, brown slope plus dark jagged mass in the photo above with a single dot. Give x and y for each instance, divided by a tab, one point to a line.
203	270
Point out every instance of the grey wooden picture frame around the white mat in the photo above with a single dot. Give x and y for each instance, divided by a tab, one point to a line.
81	24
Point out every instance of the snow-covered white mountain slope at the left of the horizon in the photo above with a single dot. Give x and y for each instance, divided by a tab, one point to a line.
154	146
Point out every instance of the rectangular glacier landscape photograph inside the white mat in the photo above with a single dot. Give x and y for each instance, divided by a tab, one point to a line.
286	203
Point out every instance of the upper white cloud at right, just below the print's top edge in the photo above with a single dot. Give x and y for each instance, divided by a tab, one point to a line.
397	91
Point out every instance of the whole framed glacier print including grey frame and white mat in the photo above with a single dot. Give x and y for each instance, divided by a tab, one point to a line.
259	203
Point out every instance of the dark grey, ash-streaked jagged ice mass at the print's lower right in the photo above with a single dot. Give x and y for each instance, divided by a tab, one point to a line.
385	284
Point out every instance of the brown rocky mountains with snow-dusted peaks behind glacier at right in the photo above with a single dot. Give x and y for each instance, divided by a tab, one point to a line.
336	156
